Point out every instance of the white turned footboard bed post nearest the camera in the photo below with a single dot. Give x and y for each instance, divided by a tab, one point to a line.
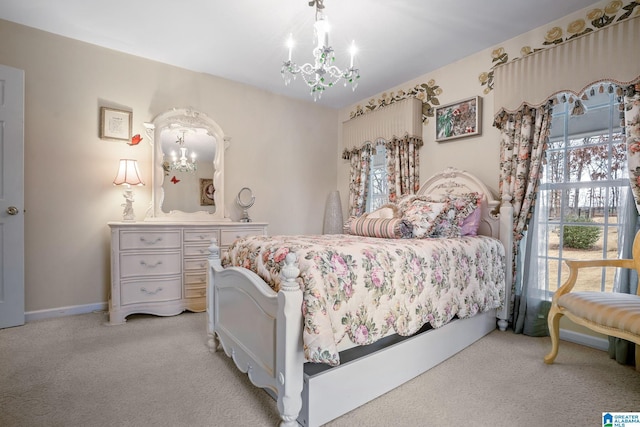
289	353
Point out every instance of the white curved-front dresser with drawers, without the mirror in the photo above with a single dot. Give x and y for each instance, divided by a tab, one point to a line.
161	268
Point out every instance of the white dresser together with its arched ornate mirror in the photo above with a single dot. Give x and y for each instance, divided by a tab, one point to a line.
159	265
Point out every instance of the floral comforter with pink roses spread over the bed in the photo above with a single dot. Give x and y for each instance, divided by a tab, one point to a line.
365	288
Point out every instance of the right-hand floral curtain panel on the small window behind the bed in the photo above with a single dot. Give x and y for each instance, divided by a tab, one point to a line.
403	164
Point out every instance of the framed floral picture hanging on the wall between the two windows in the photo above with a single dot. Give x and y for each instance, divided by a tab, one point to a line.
459	119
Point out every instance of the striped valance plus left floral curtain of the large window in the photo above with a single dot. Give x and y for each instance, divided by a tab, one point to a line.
523	90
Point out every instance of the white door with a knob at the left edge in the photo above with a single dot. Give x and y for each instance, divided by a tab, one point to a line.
11	197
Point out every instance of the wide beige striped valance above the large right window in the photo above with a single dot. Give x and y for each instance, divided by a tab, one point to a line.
607	54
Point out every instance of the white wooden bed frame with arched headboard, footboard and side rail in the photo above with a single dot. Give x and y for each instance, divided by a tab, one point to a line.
261	330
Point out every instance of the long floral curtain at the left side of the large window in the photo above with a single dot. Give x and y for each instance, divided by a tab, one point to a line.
523	138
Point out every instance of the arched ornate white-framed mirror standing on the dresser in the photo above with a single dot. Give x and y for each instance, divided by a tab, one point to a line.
188	167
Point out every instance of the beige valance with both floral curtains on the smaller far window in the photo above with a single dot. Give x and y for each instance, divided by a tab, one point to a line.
400	125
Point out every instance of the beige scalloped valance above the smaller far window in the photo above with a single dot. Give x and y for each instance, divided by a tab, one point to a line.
400	119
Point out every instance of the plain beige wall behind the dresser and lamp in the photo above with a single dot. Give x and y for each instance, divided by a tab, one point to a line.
282	148
